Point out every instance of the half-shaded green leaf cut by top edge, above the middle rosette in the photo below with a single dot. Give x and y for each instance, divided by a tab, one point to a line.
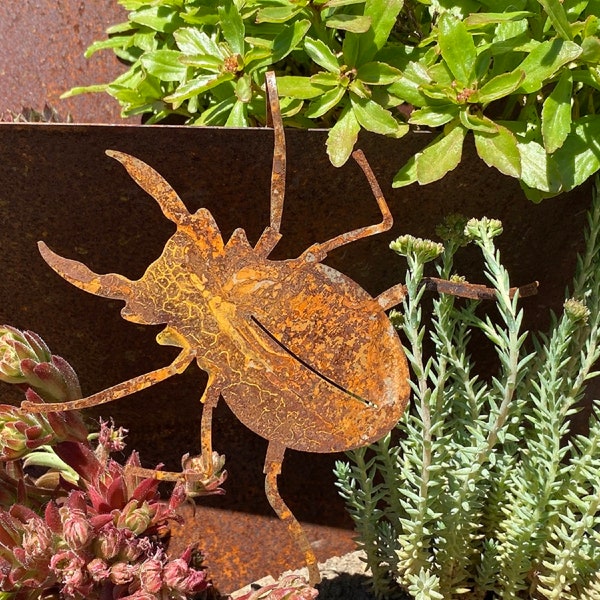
361	48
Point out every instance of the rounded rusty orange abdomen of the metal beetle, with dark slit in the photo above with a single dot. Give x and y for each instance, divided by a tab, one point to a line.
330	373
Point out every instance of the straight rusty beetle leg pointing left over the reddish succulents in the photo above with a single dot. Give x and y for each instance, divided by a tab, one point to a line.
115	392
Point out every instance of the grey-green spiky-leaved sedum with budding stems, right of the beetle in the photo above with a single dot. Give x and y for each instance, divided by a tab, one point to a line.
482	493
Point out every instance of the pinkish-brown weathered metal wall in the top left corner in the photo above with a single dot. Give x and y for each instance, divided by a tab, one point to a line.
41	56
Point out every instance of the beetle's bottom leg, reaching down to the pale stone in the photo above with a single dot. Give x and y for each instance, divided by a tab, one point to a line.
272	469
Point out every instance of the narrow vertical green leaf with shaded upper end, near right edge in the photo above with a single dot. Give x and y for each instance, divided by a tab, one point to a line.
556	113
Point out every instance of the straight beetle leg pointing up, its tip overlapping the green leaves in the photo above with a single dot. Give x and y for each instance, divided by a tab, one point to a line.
271	235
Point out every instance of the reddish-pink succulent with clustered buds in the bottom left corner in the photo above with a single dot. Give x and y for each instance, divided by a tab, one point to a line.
88	526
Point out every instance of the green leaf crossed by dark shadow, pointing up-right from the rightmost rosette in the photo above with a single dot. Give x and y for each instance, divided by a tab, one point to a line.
544	61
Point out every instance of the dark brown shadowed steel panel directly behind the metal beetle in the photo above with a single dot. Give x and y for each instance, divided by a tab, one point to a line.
57	185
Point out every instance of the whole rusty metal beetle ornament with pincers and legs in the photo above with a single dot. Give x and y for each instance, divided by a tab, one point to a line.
301	354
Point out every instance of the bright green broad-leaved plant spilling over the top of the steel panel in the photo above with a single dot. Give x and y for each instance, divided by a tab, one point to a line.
522	80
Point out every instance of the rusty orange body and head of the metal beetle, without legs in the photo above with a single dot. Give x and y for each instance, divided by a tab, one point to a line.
290	343
